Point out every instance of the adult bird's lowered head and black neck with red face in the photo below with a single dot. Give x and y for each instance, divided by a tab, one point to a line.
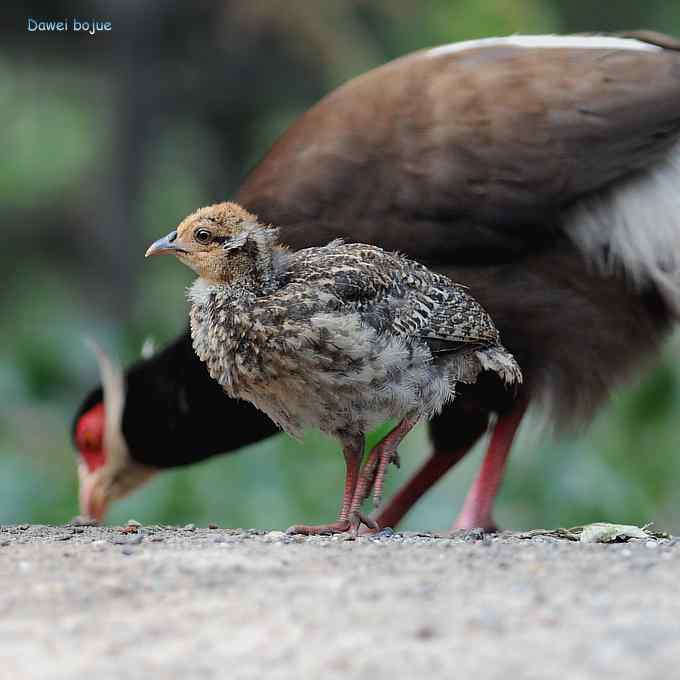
145	421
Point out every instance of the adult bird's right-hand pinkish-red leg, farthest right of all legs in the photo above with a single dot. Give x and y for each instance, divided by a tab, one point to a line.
478	505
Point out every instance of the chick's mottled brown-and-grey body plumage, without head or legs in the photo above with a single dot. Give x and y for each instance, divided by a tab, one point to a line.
350	336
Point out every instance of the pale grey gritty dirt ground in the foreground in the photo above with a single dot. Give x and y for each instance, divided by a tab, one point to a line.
84	602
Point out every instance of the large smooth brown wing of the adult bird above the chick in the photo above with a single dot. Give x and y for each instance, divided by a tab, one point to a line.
461	150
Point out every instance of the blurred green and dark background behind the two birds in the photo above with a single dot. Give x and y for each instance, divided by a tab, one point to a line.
108	141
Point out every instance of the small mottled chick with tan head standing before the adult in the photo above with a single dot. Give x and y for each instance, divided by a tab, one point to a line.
341	337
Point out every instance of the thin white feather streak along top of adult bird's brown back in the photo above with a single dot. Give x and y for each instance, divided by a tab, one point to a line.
548	41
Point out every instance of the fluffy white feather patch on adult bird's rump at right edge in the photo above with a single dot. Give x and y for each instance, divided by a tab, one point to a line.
634	227
